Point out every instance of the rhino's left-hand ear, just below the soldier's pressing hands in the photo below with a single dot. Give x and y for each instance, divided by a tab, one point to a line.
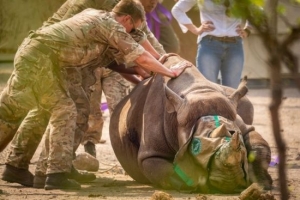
173	102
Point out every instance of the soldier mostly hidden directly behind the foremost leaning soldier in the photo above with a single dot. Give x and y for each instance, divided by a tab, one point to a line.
16	169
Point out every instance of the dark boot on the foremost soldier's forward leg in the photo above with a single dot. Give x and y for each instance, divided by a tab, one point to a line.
60	181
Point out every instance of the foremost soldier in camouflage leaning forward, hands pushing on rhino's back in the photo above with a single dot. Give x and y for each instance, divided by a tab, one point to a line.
38	78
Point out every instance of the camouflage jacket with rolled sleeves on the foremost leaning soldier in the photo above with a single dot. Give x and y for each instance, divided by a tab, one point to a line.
86	38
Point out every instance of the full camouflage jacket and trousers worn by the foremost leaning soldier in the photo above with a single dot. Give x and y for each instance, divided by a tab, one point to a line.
81	46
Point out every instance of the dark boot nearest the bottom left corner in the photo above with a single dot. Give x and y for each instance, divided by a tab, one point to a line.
17	175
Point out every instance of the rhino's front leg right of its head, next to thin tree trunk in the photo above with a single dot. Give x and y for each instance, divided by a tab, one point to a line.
259	157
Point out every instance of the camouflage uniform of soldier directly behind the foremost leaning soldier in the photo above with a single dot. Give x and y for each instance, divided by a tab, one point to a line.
31	138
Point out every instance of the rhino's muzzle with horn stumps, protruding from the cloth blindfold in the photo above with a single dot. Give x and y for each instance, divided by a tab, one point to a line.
228	168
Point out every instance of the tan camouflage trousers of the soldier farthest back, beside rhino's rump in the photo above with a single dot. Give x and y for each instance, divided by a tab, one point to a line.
115	88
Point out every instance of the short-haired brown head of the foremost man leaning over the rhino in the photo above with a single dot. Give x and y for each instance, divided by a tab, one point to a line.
130	14
